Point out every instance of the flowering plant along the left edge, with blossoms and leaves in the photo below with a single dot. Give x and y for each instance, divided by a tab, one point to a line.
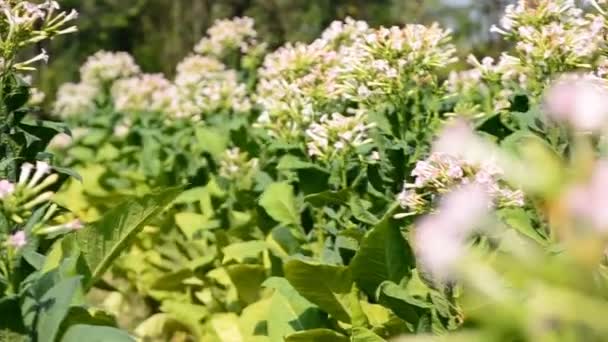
48	260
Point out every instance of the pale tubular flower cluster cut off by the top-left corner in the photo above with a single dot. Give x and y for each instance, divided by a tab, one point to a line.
26	23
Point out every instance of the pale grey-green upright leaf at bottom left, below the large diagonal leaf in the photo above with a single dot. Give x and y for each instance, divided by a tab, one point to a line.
57	304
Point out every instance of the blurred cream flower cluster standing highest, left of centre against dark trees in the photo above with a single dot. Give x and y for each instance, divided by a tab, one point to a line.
228	35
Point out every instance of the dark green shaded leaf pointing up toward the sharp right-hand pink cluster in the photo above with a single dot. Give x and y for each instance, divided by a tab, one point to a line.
384	255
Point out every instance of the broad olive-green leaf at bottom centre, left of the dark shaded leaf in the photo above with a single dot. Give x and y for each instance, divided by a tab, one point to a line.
321	284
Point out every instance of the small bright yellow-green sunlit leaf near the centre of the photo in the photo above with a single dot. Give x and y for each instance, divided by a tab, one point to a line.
279	202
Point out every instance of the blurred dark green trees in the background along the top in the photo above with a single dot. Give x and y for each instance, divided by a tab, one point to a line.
159	33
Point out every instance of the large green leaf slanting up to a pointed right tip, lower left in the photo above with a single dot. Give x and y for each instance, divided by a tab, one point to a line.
103	241
